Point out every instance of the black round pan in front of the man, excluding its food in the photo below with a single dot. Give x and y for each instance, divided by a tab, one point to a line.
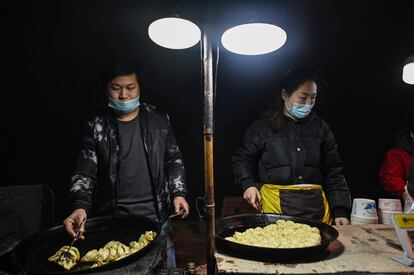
31	254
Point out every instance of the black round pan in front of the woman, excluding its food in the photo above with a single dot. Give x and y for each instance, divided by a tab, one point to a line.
227	226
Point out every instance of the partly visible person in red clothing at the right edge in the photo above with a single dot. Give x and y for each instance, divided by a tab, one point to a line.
395	170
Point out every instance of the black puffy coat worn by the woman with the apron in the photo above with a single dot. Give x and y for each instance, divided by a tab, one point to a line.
301	152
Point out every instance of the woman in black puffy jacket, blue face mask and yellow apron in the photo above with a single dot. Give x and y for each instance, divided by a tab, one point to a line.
288	161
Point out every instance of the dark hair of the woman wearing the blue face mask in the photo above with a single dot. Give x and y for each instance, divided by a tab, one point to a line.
291	81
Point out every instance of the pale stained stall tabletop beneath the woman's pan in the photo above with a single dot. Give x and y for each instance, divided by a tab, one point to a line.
358	249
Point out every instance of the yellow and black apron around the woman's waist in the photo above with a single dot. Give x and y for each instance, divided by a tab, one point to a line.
303	200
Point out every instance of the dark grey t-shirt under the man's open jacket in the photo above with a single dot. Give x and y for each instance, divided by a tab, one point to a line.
134	191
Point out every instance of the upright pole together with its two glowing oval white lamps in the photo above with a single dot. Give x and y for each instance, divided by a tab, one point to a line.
158	36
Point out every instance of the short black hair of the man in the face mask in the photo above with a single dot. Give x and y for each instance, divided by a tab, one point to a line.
121	67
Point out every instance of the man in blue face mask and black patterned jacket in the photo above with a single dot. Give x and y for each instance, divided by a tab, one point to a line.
130	163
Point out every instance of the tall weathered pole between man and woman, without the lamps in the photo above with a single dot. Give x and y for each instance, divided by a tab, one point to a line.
208	127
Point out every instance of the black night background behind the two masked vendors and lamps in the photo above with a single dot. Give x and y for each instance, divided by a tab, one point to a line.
54	51
